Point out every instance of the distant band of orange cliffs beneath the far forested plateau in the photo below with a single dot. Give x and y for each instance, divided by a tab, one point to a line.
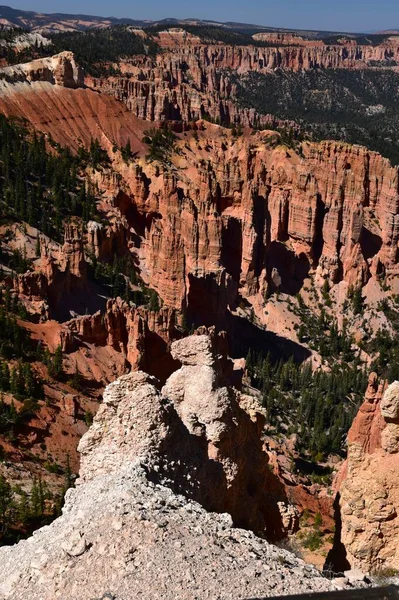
193	79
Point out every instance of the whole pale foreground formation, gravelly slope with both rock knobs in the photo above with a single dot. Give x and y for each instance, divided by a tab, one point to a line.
125	533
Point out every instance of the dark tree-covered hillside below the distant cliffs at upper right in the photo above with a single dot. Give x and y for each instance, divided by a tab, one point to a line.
358	107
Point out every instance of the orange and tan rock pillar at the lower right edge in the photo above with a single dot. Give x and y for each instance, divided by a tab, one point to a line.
369	498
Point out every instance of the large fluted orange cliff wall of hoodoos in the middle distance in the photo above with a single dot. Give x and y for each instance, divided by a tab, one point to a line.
248	209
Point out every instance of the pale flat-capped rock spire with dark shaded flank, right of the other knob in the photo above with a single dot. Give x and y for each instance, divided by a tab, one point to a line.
228	427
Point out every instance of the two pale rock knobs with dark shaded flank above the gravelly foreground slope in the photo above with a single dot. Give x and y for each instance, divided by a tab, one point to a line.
210	448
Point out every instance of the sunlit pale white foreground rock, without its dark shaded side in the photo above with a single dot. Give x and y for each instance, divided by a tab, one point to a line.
122	536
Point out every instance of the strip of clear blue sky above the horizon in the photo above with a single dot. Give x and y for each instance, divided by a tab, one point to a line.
344	15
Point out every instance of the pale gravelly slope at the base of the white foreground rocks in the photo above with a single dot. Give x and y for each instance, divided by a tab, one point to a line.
122	536
